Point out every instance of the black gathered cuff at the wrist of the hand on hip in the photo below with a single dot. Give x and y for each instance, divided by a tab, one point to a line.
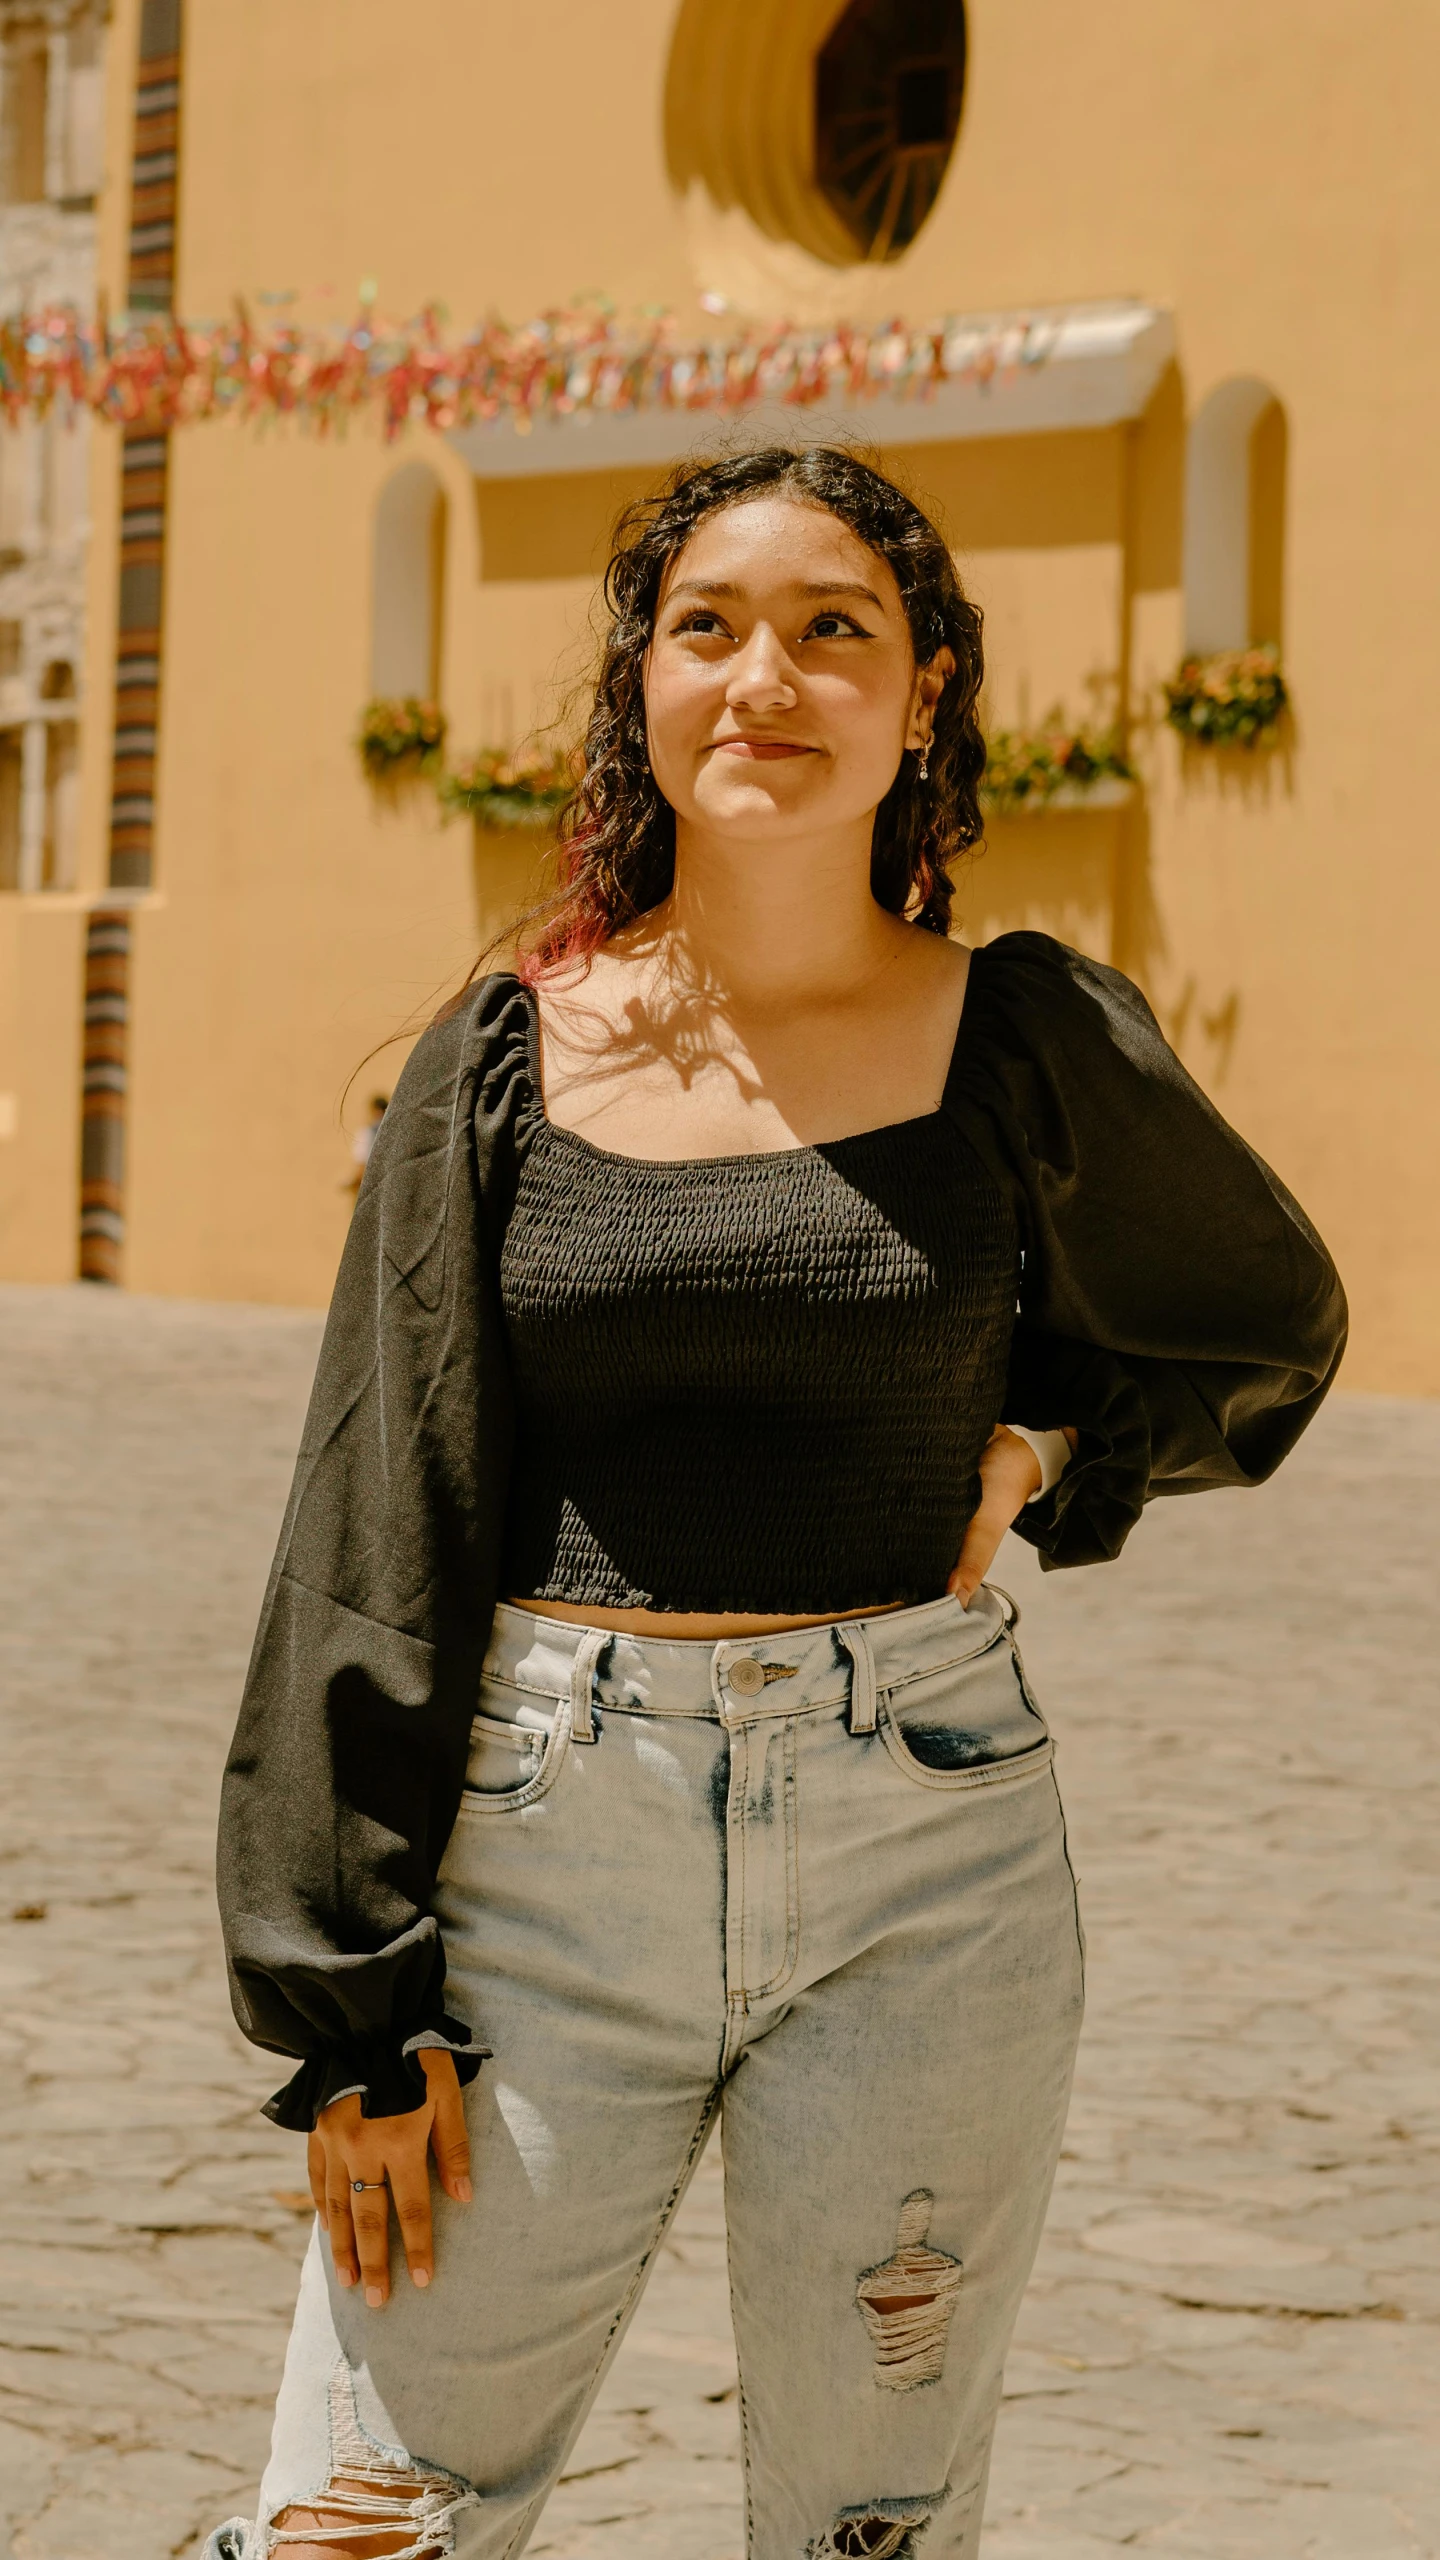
1088	1517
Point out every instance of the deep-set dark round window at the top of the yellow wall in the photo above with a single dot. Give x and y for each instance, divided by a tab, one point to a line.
826	122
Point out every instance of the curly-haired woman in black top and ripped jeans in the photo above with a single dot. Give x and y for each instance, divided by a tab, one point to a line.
629	1706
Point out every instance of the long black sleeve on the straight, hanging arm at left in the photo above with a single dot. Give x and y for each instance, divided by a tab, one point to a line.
350	1755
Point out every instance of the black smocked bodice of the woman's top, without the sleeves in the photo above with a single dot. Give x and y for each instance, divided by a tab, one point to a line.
752	1384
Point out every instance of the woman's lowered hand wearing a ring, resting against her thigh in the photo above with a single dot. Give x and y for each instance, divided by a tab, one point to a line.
391	2157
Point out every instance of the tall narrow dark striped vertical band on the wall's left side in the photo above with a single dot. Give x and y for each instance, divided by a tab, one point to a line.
145	472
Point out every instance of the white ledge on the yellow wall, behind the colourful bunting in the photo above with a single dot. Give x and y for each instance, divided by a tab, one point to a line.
1088	365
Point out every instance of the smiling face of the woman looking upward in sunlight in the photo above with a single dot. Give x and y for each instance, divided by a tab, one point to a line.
780	682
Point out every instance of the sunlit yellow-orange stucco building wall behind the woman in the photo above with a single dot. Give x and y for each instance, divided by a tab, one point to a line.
1264	175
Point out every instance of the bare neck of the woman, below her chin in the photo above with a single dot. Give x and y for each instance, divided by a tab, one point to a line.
773	925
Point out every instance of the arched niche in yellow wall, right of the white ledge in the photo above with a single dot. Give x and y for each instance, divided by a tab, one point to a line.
1234	518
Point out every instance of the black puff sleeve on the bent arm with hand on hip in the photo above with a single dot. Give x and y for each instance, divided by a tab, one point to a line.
1177	1304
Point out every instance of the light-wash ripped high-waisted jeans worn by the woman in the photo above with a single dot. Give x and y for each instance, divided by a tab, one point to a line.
816	1885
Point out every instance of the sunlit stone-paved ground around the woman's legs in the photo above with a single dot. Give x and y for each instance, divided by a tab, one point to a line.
1234	2333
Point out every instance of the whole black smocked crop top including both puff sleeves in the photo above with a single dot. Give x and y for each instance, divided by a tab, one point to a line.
1175	1307
